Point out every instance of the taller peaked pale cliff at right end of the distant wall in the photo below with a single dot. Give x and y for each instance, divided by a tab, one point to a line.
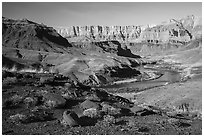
174	31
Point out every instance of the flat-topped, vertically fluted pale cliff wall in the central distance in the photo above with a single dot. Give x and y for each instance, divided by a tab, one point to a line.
102	33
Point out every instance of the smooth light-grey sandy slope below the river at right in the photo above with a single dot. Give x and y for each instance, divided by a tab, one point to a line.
181	97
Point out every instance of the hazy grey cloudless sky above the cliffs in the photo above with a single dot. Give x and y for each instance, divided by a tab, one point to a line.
68	14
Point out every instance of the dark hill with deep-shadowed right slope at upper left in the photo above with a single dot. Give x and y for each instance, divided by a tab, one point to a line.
25	34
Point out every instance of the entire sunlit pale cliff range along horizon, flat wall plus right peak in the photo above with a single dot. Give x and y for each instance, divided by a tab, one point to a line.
173	31
